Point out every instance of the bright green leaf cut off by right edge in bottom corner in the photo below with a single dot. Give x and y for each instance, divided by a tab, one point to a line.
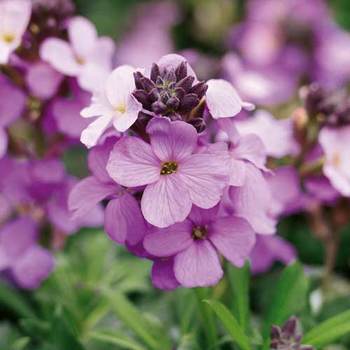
329	330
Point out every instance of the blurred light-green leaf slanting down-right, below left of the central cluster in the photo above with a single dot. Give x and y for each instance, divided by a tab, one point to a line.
153	337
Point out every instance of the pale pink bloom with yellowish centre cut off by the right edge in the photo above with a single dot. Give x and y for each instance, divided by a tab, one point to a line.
335	143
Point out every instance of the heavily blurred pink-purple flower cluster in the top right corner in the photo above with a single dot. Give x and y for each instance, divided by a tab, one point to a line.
280	43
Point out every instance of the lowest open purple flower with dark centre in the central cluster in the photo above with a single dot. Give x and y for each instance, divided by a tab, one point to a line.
197	243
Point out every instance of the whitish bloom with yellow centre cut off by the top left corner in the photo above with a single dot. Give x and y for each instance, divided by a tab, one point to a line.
14	19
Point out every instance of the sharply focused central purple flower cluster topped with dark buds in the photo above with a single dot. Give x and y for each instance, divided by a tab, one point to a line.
179	195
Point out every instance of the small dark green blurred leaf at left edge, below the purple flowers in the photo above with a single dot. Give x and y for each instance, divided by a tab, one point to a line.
15	301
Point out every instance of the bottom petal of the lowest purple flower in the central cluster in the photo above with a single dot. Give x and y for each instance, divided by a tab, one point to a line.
198	266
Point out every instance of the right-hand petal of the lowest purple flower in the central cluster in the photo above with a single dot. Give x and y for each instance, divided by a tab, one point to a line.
234	238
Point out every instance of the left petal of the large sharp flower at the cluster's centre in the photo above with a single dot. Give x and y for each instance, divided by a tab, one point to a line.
132	163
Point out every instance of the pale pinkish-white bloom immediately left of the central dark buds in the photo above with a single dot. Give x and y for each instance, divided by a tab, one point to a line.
114	106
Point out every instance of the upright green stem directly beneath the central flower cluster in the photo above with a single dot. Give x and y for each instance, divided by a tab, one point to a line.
207	318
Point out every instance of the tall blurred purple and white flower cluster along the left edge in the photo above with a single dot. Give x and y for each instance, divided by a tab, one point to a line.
50	61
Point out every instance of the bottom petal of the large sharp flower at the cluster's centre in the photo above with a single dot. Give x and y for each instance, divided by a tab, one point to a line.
166	202
